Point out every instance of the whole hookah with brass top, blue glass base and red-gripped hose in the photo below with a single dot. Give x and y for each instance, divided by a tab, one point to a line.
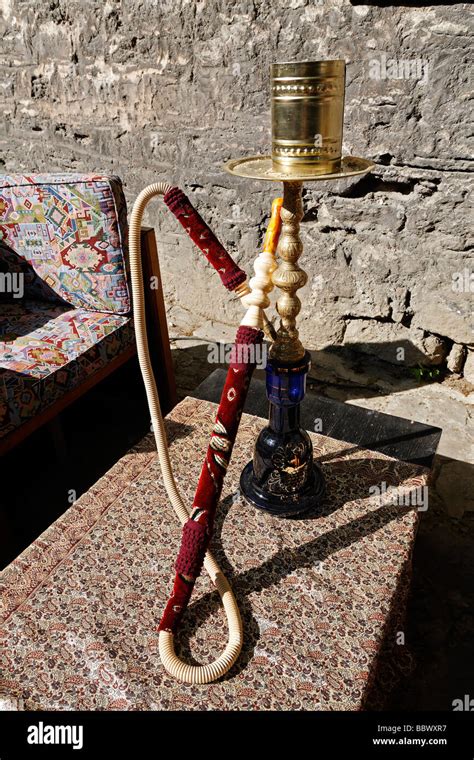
282	479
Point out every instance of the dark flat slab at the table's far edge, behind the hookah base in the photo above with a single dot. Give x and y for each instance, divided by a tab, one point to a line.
407	440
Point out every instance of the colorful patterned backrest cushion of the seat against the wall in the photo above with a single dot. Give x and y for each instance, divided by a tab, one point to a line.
72	230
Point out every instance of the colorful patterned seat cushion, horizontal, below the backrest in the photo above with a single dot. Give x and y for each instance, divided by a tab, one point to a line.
47	349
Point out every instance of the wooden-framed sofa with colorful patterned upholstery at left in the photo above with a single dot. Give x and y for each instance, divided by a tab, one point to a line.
65	306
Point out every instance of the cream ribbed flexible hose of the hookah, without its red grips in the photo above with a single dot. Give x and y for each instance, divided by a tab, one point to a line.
172	663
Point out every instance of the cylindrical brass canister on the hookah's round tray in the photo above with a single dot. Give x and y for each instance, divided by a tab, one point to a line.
307	115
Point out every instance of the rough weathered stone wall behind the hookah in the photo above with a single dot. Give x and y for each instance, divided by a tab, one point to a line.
152	90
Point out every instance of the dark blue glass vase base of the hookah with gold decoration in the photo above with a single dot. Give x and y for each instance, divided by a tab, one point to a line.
282	478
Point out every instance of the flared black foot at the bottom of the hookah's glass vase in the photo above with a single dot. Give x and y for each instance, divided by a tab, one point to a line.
284	505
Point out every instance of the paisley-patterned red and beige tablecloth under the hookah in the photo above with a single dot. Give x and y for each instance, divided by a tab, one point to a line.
321	597
